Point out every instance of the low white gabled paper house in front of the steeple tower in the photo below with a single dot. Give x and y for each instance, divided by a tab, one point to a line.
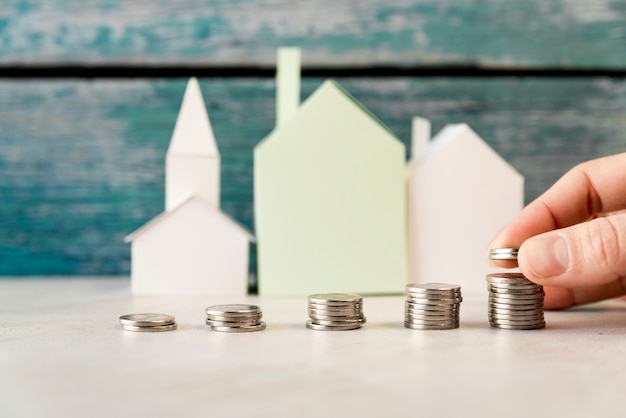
193	249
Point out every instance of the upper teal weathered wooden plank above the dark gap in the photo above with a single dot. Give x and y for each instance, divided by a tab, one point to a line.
539	33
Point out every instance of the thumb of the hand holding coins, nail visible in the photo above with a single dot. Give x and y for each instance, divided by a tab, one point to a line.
585	254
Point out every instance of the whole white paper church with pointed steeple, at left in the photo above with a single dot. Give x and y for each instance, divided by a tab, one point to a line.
192	248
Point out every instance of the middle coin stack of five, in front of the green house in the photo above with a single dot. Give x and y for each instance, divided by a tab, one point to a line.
335	312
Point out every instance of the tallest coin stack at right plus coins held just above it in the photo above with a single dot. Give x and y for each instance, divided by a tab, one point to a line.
514	301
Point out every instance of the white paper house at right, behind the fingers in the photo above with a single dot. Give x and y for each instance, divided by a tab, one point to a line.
461	193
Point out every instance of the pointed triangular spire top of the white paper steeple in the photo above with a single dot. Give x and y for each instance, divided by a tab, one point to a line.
193	135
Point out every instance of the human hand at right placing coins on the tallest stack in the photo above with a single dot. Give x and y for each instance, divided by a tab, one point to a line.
572	239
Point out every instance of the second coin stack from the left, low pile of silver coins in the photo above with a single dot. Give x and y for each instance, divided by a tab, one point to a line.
234	318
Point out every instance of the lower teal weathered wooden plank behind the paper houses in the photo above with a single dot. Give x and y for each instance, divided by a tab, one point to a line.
82	163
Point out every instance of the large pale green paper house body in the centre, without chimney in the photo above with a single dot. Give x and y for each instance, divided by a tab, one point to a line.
330	201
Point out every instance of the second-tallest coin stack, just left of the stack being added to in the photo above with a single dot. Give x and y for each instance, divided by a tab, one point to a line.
432	306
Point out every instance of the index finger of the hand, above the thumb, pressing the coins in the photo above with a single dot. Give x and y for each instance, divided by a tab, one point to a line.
589	189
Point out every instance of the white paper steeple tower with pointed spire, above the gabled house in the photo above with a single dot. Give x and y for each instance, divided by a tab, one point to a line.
192	163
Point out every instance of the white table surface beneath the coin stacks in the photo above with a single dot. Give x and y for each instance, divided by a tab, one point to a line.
63	353
